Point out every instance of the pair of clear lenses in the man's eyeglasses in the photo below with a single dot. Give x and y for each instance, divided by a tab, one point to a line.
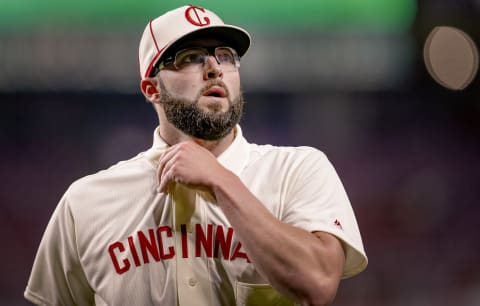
194	58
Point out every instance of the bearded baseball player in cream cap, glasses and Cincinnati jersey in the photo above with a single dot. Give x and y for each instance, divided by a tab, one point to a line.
203	217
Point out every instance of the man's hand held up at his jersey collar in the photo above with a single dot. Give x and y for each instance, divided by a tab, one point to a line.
190	164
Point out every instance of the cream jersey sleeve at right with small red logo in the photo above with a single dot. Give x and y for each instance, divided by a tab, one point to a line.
317	201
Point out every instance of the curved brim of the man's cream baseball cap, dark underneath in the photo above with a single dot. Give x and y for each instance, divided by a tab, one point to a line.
233	36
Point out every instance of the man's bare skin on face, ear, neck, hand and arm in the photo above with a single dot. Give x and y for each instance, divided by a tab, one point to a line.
311	274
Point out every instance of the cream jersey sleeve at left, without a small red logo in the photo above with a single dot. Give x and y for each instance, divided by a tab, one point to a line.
57	277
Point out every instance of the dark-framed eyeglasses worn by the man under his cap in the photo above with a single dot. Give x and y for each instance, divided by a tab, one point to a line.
193	59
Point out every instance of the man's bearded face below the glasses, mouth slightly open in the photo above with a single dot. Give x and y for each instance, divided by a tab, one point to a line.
205	104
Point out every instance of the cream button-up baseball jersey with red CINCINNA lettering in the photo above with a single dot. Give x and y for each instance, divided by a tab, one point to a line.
114	240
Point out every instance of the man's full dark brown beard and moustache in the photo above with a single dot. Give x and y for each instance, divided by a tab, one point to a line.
189	118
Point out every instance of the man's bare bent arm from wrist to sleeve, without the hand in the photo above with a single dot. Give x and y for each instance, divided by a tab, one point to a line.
299	264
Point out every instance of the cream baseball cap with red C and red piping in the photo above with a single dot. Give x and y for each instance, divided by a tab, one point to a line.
184	23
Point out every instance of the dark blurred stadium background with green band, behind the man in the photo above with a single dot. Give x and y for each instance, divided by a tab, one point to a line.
347	77
